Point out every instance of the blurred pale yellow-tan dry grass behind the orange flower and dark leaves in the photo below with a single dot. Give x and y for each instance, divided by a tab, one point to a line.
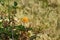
44	15
